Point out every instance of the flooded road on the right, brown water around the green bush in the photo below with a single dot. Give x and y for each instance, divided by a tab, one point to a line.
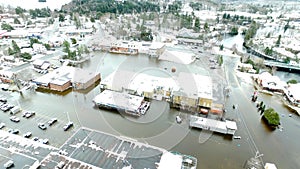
278	146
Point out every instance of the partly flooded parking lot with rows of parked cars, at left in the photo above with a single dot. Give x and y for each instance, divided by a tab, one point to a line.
54	133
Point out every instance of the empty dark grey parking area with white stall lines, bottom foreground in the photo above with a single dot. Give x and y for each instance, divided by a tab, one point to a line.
96	149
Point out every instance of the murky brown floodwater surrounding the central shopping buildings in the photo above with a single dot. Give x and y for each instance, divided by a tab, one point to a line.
158	126
